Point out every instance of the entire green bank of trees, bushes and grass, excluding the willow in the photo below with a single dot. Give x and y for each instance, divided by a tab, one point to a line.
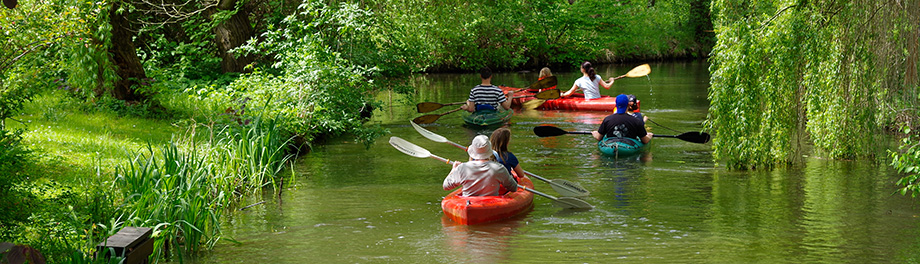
118	112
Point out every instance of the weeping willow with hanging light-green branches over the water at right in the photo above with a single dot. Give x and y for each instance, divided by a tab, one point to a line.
790	73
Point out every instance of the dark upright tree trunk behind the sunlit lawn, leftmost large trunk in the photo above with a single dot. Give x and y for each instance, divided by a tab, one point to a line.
124	56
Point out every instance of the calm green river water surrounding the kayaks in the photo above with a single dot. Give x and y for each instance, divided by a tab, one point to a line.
671	205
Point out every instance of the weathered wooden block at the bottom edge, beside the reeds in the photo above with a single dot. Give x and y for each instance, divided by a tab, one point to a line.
131	243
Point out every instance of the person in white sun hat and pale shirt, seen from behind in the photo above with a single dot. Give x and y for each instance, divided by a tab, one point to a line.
480	176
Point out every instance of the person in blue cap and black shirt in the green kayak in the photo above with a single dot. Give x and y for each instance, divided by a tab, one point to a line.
622	125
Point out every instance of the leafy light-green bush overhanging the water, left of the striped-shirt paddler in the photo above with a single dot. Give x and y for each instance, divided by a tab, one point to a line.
317	91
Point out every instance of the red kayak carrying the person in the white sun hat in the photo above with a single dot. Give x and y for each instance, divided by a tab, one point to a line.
471	210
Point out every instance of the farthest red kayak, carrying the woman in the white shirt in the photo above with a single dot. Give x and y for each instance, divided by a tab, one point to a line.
574	102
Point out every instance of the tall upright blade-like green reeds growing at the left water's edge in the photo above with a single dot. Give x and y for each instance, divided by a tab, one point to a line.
182	191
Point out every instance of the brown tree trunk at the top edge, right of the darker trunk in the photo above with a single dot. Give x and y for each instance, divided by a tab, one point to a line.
230	34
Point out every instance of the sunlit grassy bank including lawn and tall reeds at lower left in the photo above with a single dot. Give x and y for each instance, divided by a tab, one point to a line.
92	171
